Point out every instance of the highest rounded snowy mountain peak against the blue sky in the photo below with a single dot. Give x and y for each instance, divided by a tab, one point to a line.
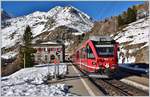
70	17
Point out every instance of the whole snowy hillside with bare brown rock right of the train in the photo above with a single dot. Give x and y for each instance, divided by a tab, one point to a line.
134	41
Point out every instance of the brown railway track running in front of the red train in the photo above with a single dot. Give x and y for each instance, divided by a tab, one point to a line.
115	87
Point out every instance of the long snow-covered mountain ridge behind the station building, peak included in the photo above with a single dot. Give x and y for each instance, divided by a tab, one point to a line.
45	22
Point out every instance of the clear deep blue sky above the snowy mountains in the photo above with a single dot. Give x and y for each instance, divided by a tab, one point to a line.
98	10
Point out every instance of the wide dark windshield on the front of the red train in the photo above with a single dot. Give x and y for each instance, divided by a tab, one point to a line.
105	50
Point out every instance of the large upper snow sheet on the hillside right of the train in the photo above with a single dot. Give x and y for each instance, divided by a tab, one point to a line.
136	32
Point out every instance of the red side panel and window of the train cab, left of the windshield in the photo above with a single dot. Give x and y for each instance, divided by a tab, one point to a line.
91	61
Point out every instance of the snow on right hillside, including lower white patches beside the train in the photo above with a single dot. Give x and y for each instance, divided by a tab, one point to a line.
135	33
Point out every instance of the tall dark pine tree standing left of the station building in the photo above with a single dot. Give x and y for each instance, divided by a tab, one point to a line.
27	51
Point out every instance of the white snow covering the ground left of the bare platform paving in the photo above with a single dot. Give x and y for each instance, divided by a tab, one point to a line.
32	82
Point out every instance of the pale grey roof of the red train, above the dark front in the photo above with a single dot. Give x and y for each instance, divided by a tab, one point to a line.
101	38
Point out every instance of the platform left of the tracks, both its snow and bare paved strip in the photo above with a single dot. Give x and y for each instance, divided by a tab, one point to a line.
34	82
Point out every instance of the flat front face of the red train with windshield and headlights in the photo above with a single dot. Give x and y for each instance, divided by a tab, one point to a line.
107	59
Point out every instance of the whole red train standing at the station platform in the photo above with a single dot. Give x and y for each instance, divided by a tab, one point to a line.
97	56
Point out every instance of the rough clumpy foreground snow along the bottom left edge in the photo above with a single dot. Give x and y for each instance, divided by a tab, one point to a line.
35	90
